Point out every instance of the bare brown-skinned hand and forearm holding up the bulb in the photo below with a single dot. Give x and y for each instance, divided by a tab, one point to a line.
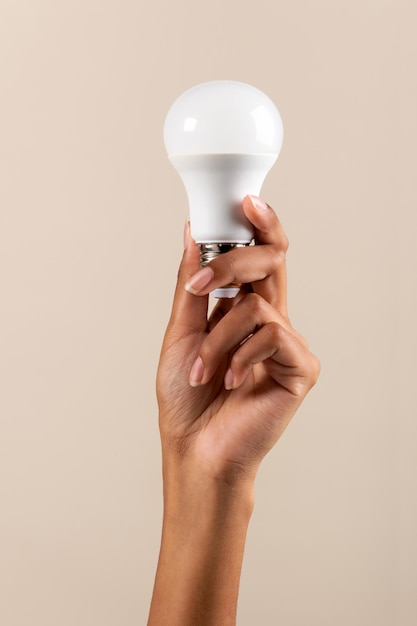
227	387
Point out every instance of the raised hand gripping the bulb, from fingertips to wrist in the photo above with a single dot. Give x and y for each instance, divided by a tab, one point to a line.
229	384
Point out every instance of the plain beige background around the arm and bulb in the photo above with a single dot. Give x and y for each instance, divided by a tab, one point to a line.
91	218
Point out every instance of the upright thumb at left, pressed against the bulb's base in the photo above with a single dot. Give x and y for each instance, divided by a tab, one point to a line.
189	312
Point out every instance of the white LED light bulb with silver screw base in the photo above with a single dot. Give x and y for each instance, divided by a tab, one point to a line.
222	137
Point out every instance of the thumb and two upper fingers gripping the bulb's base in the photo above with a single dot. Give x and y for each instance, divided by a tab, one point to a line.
259	268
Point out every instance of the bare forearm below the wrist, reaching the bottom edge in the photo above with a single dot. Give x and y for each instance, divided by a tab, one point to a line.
203	540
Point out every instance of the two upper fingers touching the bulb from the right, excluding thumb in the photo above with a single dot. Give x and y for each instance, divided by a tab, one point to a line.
262	266
